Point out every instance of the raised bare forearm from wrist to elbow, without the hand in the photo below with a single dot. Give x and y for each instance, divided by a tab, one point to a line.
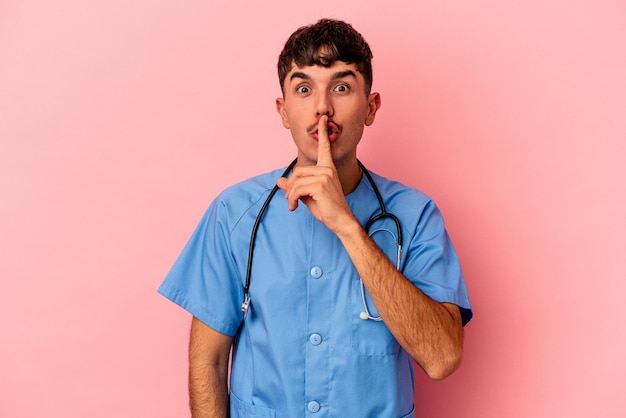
429	331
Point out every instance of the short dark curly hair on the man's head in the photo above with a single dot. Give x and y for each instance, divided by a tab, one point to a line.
323	43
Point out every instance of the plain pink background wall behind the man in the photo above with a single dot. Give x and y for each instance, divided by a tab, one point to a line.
120	120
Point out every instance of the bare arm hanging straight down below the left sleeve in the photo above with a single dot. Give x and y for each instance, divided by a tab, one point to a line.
209	353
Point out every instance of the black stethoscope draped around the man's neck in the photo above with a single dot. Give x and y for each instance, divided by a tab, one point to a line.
365	314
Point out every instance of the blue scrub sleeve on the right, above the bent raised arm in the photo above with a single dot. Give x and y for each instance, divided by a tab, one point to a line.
432	264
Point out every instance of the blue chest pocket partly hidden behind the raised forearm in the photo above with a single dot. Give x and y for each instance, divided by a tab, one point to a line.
369	337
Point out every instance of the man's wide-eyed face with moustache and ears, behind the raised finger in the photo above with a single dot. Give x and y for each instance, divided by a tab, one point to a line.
339	92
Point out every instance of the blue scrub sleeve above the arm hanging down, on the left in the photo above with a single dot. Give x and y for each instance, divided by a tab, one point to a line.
204	280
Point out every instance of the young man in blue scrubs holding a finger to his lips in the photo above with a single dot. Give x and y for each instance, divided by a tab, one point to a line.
336	311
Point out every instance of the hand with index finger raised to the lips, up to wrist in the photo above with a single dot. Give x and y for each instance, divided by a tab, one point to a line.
318	186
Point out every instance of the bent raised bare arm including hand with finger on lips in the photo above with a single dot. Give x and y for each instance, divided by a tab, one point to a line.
431	332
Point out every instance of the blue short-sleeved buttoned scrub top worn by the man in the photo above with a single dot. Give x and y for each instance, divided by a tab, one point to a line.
303	349
